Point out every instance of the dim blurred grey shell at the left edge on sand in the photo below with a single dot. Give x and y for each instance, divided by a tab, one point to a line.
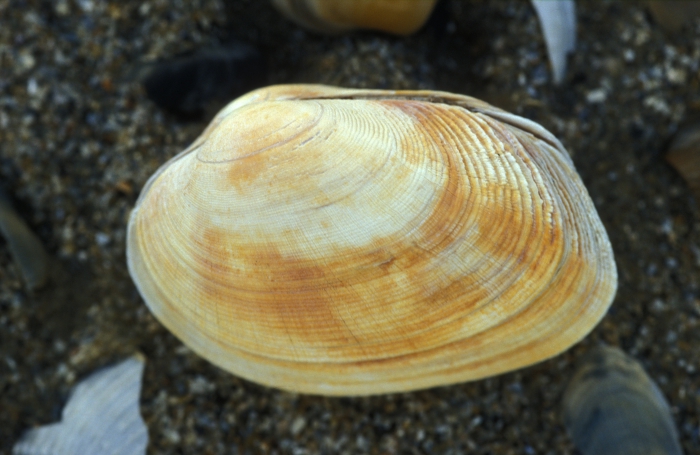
25	246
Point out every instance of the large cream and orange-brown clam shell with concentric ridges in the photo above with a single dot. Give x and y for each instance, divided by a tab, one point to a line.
352	242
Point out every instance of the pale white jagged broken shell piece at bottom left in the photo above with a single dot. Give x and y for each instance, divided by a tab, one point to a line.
101	417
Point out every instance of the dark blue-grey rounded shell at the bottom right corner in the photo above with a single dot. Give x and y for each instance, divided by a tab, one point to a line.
611	407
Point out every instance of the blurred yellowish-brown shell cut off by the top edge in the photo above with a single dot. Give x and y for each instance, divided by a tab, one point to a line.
400	17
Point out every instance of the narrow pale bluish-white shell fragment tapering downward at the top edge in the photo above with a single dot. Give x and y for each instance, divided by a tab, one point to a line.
558	22
